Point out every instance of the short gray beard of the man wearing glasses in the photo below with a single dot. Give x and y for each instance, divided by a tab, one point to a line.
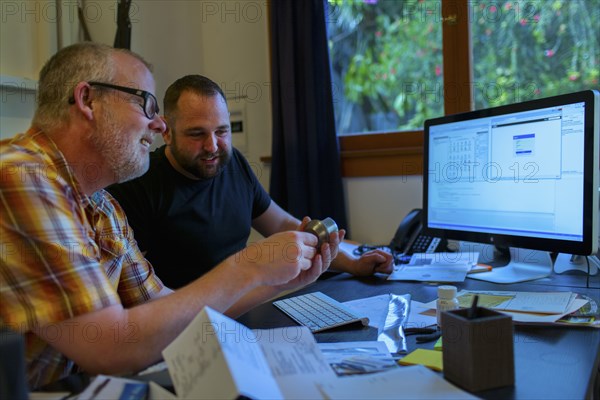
122	157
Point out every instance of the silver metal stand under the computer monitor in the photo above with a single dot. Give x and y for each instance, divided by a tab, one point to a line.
510	266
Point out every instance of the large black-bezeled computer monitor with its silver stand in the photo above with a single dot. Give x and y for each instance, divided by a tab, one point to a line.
522	177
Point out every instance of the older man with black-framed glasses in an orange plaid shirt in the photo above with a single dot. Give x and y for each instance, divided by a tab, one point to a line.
72	278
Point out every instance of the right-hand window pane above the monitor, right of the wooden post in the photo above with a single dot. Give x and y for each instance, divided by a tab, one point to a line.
531	49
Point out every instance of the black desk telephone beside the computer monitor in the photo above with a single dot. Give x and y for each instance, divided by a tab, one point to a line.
409	239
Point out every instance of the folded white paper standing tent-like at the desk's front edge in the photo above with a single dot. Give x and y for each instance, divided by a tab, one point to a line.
217	357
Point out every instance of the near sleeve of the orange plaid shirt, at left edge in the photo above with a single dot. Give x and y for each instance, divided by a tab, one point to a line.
49	269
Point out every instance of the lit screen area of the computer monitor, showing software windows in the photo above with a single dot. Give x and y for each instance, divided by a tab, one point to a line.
517	174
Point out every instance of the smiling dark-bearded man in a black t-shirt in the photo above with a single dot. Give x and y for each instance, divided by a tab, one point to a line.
200	197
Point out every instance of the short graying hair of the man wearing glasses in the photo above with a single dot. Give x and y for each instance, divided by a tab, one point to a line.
81	62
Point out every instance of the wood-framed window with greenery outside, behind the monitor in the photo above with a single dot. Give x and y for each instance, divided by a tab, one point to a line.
396	63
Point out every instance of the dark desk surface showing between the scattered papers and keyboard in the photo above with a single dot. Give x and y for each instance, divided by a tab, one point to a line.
550	362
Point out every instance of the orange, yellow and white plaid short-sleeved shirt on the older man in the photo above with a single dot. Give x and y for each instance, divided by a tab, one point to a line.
62	253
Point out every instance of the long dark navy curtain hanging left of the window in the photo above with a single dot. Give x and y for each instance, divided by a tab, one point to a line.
306	176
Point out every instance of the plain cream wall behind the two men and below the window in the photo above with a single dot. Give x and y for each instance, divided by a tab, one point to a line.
228	42
